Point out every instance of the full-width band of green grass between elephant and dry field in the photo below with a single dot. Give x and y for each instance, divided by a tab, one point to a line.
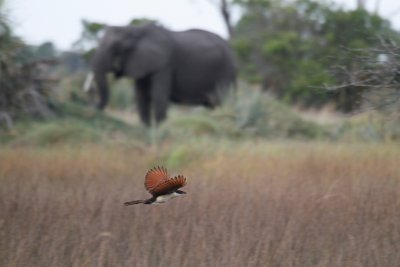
251	115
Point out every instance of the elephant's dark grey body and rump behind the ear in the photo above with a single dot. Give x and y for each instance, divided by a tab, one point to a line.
202	61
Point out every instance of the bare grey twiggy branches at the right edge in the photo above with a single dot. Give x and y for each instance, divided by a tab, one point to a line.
378	77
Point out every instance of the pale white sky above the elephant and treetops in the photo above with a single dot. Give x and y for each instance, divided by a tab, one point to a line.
59	21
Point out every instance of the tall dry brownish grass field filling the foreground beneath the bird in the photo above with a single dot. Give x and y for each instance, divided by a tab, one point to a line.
250	205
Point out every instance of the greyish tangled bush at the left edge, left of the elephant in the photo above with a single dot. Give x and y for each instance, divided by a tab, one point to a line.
21	93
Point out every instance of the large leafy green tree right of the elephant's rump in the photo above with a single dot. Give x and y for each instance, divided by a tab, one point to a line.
290	47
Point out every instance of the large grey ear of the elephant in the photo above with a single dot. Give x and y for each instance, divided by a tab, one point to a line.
152	52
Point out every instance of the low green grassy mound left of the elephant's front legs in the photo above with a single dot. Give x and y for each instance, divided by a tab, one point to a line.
72	124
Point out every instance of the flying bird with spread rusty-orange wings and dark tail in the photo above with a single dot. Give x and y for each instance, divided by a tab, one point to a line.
161	186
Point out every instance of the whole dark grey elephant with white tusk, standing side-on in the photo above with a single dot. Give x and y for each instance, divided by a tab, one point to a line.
193	67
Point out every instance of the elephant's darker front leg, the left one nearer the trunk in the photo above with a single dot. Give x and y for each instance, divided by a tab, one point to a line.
143	100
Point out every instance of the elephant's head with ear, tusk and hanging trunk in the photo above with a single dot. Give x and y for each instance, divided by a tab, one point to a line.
132	51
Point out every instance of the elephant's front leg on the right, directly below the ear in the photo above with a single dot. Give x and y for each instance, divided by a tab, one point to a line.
160	94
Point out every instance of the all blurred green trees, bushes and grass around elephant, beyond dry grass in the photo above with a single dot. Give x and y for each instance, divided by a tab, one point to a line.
308	70
